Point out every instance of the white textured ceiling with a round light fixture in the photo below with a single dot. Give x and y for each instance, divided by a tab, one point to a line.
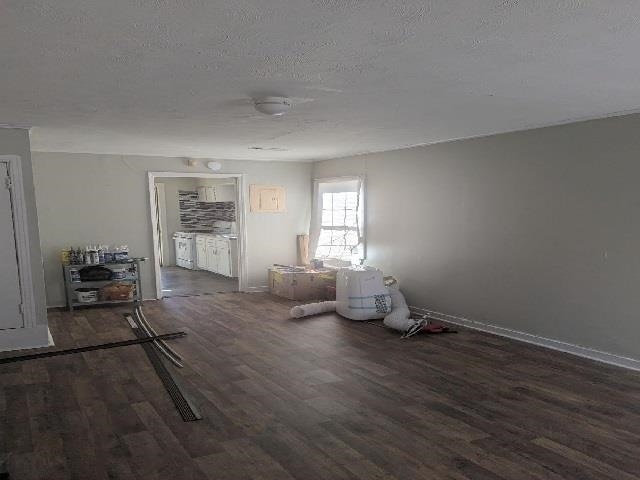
174	77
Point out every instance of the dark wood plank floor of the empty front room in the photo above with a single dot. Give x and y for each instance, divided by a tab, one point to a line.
320	398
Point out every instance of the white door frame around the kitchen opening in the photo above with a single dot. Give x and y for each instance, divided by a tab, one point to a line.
241	219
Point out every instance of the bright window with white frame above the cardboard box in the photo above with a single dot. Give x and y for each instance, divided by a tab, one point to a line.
338	232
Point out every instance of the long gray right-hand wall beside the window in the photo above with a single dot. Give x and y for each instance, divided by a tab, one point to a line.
537	231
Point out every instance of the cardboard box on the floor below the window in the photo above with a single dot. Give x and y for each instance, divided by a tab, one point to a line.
300	285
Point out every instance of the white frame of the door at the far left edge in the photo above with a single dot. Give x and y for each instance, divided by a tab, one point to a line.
21	232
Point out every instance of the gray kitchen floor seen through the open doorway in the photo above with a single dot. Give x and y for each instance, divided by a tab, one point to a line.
178	281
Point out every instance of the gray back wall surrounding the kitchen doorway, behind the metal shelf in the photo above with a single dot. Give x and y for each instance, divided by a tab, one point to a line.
84	198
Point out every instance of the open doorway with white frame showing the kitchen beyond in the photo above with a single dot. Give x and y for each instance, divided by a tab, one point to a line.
199	233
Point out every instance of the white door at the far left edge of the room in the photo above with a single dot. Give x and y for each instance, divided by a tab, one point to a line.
10	296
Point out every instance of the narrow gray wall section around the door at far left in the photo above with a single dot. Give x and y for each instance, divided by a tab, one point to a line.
16	142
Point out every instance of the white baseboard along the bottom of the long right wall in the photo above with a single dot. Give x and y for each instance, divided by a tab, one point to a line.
590	353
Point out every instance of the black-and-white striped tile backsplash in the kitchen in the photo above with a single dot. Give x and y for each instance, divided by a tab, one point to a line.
195	215
